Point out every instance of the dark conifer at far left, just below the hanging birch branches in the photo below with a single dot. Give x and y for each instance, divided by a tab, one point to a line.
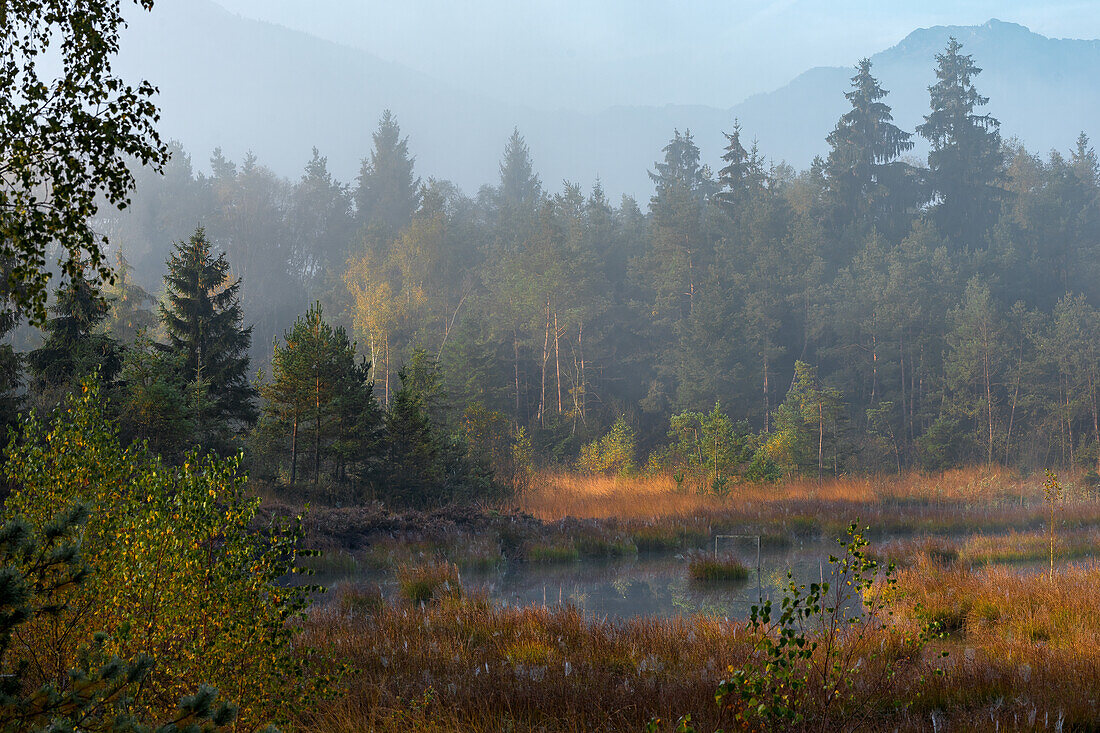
73	348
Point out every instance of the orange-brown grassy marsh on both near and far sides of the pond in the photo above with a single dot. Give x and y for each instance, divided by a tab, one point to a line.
1022	649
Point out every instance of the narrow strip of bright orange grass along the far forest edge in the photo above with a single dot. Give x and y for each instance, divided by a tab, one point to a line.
555	496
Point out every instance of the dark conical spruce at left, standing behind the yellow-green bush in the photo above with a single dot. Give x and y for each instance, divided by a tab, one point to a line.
202	316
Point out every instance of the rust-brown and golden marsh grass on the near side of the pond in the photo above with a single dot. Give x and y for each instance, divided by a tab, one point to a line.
1024	655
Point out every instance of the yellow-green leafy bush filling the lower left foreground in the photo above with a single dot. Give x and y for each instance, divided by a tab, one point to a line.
178	571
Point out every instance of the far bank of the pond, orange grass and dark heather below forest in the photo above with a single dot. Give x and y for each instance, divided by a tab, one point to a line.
566	519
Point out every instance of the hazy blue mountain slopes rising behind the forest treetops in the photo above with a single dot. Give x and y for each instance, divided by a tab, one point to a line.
247	85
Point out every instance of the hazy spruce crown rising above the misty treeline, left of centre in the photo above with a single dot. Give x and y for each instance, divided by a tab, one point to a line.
389	193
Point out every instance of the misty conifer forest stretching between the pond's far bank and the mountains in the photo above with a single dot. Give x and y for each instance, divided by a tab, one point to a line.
873	314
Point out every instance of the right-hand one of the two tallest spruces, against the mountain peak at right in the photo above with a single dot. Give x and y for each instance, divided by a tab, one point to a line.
966	160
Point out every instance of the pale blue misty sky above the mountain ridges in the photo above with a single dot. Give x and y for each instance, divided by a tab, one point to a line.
592	54
